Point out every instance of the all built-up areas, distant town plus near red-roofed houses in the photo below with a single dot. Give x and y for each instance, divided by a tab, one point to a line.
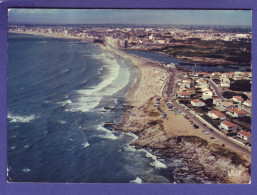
219	101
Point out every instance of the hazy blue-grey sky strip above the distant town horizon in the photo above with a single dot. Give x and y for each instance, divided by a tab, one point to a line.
129	16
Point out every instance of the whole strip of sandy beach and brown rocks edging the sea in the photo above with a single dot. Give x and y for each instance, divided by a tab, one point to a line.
161	135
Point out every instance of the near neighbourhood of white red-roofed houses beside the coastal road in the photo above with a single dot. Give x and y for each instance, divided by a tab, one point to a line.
217	102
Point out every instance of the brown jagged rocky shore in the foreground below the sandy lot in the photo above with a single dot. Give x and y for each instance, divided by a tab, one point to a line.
203	159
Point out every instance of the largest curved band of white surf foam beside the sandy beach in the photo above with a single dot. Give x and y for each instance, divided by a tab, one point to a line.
114	80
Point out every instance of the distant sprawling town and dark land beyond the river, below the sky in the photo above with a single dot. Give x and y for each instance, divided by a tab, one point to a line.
196	44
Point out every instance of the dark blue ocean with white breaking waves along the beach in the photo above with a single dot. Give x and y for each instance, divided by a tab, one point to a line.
58	90
